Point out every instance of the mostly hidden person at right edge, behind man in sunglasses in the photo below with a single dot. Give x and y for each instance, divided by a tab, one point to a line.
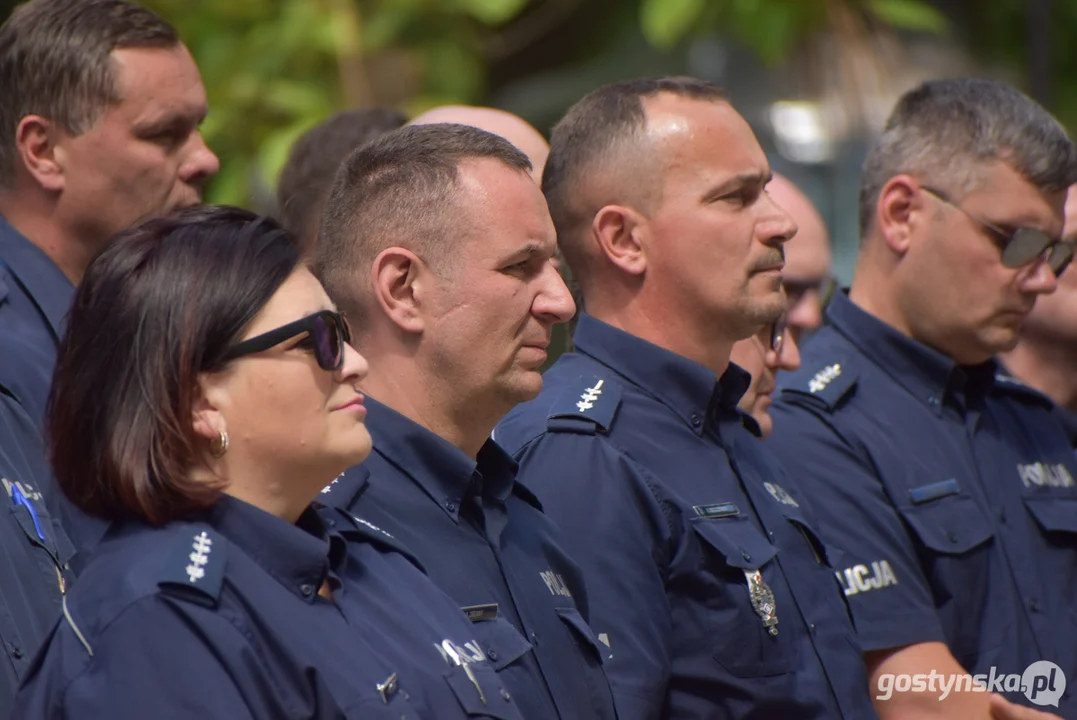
1047	352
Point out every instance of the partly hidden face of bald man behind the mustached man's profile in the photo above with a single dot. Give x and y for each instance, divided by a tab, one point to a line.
807	274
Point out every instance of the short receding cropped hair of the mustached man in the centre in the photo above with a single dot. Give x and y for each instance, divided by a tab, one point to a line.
604	134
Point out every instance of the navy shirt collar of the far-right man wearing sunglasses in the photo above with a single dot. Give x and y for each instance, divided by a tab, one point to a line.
927	374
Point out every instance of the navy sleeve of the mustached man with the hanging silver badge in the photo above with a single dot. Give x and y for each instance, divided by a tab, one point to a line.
614	528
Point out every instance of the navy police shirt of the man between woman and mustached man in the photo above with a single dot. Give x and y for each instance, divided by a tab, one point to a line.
484	540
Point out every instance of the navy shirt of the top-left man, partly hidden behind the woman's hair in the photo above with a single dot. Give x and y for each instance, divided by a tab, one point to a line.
35	300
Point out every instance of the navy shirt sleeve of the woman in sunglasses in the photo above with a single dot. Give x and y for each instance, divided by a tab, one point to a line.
150	662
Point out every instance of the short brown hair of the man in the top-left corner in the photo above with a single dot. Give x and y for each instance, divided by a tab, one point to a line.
55	63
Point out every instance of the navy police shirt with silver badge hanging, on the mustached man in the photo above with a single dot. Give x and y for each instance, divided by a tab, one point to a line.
694	542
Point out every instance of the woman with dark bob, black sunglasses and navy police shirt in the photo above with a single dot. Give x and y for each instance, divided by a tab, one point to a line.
205	394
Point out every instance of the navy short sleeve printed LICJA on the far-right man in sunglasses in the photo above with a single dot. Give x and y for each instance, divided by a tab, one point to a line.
890	600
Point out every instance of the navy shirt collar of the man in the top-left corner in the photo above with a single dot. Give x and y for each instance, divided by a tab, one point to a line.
44	281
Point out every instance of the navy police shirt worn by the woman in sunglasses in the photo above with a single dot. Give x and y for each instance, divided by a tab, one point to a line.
222	618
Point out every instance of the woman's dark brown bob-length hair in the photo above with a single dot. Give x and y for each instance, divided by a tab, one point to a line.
160	306
